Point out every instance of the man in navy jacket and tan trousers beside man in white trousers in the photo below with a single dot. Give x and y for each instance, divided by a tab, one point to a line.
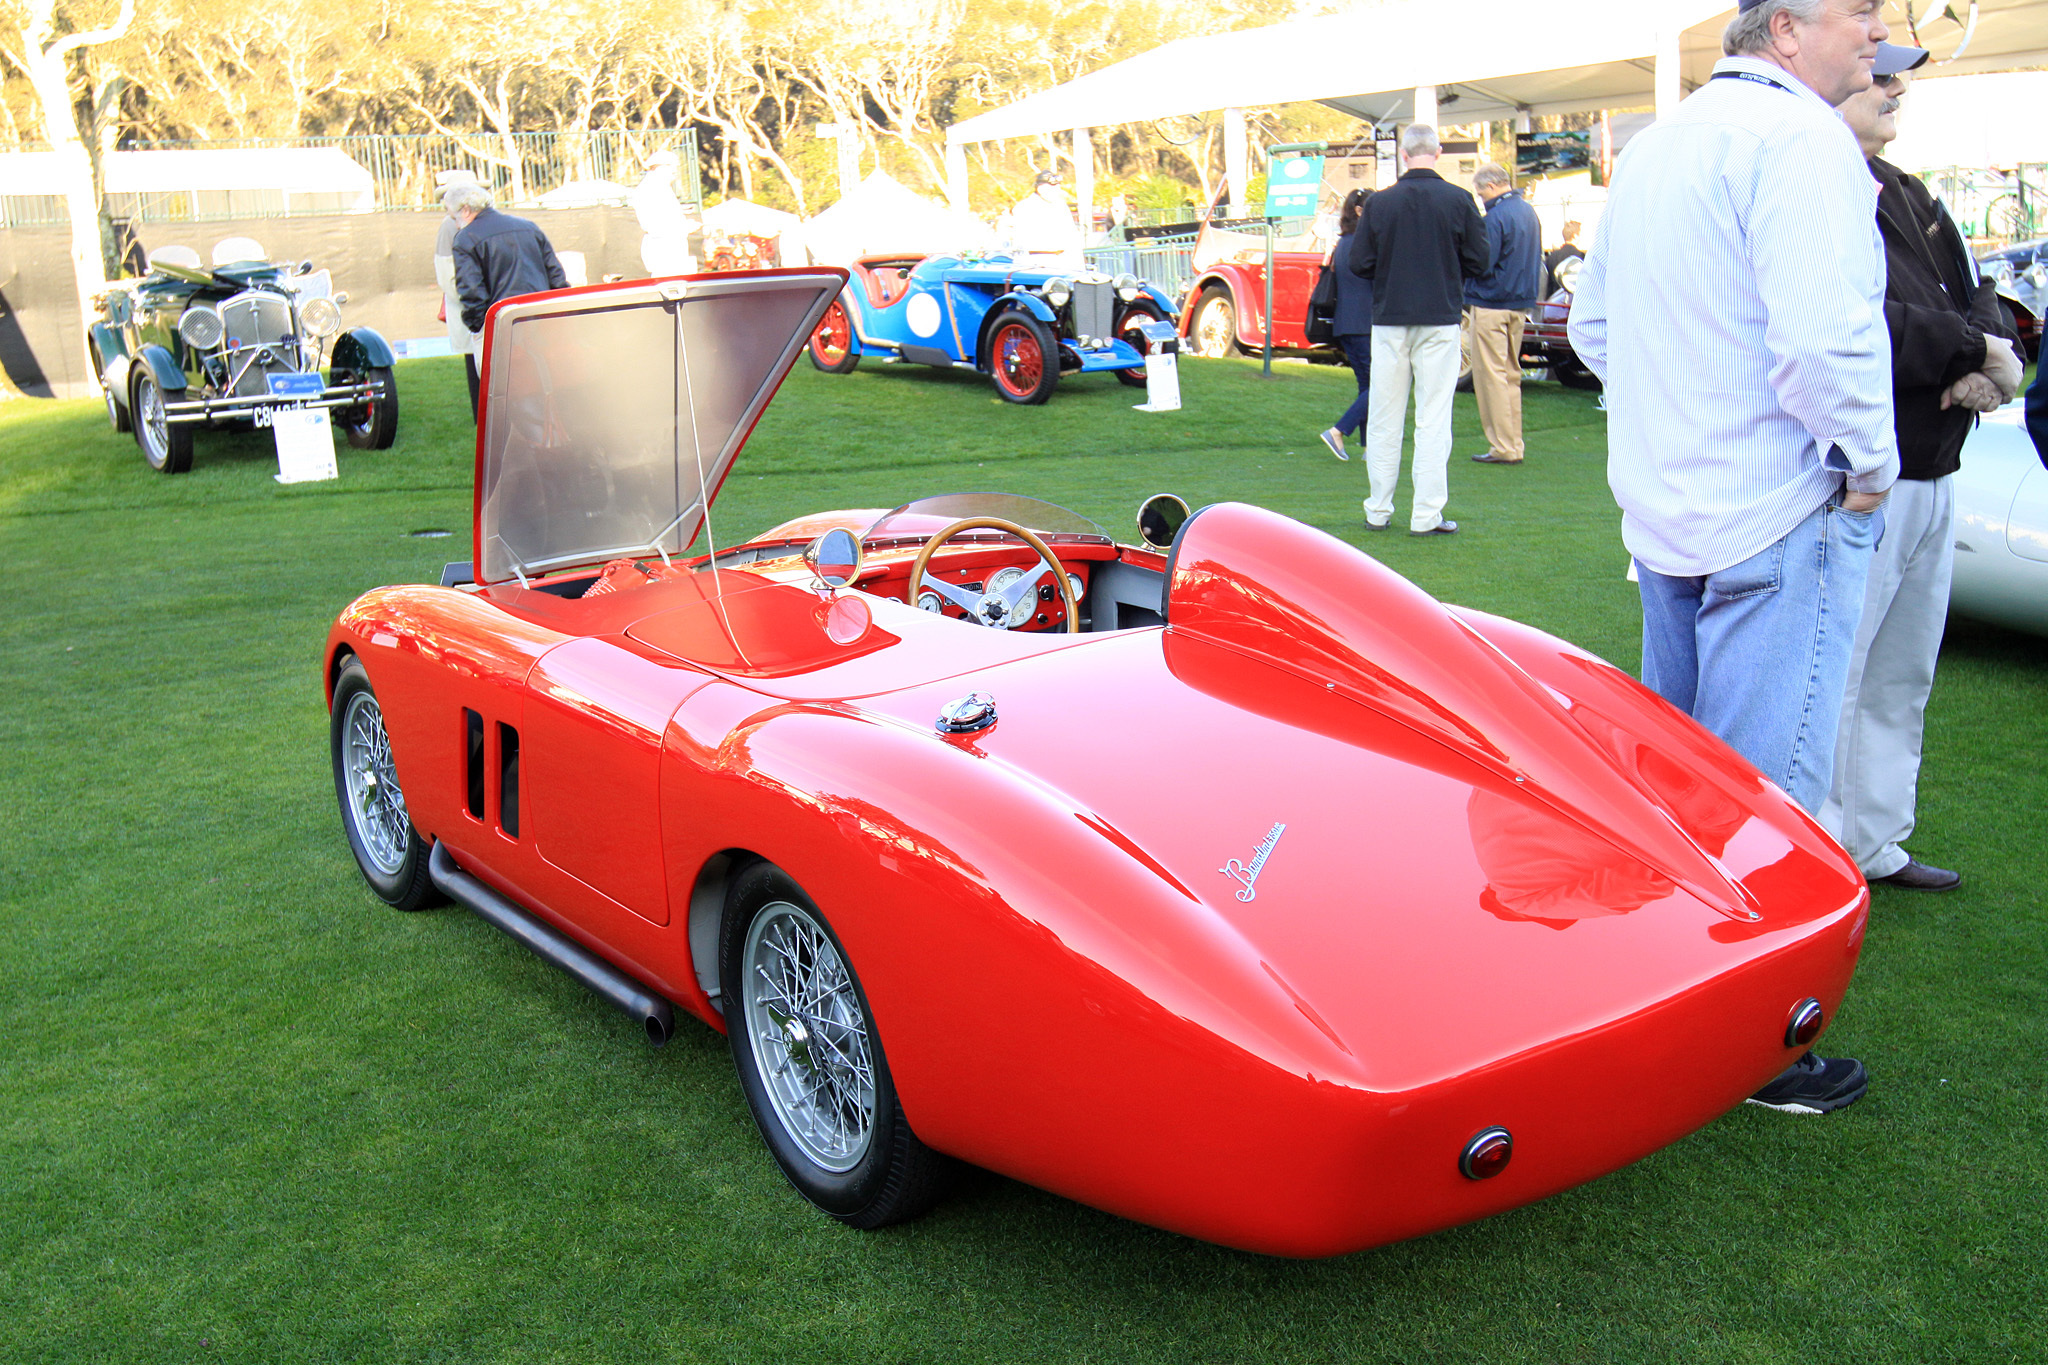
1496	310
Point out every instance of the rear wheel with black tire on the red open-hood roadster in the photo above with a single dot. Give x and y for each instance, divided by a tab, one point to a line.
888	1176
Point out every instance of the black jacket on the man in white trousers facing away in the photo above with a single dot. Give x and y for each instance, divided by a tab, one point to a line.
1418	243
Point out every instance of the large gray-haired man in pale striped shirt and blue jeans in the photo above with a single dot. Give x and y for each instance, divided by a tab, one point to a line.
1734	306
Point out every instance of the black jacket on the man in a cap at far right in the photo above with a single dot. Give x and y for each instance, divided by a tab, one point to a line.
1938	320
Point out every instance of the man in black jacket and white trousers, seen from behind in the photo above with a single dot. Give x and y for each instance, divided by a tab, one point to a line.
1418	243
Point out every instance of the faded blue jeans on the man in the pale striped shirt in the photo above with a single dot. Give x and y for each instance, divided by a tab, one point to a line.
1760	652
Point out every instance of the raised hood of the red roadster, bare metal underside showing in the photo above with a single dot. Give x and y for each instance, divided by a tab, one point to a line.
613	414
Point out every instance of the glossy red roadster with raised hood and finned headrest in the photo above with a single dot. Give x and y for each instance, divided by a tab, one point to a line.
1228	883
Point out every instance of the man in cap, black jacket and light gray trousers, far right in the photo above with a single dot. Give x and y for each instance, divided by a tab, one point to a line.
1953	357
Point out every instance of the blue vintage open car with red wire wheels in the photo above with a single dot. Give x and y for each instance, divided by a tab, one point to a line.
1013	320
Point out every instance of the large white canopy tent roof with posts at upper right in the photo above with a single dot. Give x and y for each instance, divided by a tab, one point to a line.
1469	62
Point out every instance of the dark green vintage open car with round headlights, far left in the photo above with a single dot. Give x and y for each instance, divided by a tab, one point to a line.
191	347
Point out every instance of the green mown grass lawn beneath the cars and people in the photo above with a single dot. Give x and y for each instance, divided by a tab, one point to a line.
249	1114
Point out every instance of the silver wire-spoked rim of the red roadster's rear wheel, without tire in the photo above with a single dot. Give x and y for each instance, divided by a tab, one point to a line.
810	1037
